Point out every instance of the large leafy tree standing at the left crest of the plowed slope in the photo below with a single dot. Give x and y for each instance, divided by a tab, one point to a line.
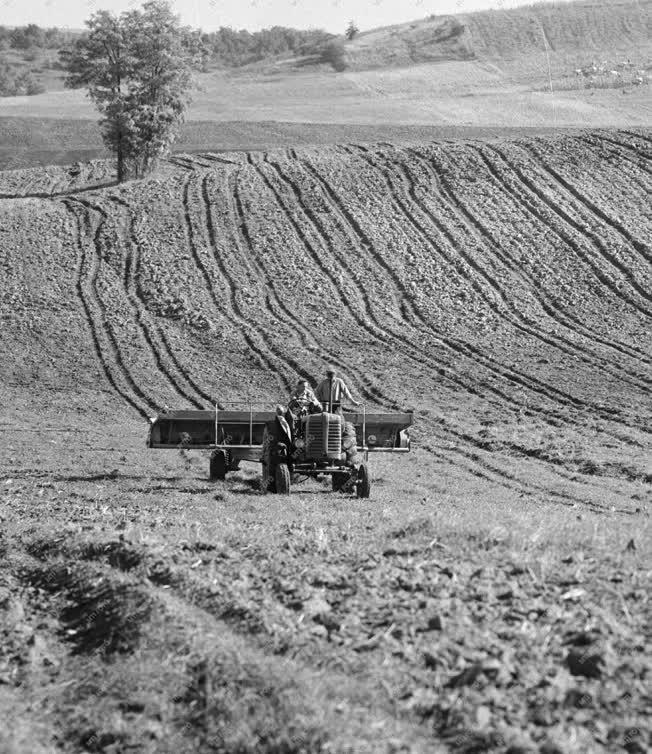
138	70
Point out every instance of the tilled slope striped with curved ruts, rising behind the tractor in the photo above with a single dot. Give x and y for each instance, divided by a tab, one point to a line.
489	285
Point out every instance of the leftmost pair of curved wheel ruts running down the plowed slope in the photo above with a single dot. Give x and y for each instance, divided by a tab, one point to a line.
88	295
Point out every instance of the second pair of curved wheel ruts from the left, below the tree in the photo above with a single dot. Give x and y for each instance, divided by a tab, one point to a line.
151	332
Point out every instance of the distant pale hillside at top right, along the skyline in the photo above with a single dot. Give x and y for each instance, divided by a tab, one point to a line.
579	29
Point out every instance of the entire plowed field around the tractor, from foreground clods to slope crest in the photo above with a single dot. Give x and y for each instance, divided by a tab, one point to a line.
490	595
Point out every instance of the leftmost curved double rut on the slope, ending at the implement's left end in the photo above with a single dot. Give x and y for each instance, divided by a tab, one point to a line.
95	328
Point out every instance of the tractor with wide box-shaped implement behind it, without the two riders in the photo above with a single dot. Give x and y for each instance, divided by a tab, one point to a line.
318	444
